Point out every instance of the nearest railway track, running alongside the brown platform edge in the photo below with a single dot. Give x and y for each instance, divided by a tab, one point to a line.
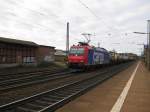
53	99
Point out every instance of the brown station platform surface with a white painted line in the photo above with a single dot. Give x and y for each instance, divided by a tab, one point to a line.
105	96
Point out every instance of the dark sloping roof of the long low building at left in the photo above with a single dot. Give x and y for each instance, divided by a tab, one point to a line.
16	41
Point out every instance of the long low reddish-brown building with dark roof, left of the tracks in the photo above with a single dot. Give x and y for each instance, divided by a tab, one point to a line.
15	52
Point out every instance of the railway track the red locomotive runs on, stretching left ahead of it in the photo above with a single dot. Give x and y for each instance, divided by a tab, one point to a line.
34	79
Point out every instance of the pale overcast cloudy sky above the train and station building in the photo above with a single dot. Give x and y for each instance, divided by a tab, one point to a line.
44	22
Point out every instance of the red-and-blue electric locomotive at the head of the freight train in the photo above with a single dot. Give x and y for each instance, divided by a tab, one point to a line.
84	55
